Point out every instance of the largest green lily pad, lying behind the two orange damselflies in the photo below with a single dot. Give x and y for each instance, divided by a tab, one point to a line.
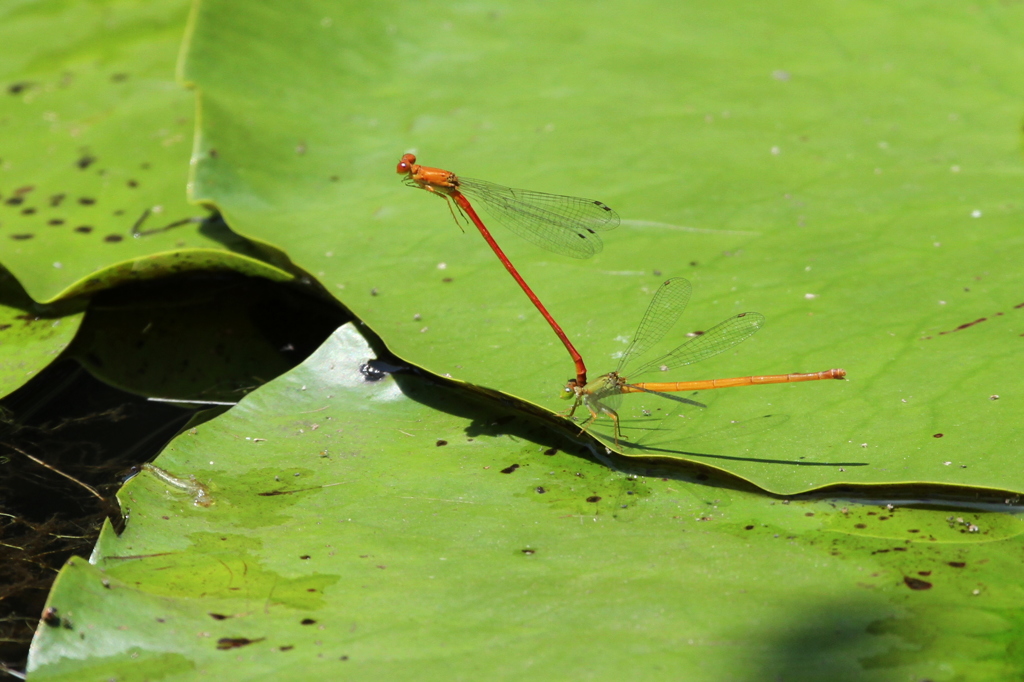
849	170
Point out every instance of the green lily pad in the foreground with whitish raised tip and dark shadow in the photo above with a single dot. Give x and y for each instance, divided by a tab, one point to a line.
334	528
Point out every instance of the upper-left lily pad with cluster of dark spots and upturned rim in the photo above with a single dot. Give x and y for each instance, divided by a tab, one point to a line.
96	150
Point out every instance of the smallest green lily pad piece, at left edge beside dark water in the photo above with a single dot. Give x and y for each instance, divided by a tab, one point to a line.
30	339
